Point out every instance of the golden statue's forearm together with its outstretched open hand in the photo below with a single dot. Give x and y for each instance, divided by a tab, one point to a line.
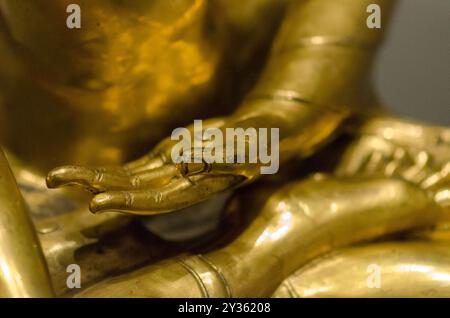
300	71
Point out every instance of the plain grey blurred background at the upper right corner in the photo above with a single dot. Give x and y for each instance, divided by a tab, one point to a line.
413	70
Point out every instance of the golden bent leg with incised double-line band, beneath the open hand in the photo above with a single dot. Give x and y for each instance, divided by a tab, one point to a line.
298	223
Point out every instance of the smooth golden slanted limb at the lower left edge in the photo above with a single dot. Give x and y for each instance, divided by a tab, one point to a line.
23	272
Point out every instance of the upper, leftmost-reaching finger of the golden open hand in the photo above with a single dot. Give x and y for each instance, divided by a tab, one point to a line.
93	179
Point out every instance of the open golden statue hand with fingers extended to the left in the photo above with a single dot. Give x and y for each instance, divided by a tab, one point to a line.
154	183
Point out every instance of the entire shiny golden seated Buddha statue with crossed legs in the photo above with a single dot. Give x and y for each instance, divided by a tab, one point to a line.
84	102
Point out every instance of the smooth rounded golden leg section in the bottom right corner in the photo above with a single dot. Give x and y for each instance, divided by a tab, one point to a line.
413	269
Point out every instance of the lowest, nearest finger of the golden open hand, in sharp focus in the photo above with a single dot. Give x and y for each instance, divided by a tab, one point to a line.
180	193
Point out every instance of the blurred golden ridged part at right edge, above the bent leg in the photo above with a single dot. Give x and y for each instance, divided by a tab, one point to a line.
392	147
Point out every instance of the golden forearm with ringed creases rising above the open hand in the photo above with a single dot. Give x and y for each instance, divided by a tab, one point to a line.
318	71
